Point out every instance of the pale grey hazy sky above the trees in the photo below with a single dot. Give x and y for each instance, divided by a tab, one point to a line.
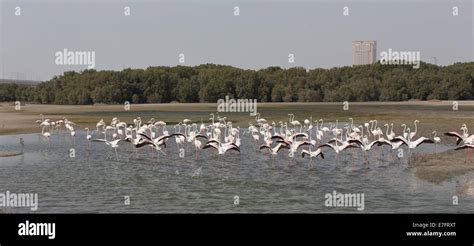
156	32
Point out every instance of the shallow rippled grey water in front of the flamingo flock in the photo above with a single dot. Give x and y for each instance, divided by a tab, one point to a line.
94	181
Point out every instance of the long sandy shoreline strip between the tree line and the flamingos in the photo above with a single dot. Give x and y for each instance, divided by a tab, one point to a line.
23	121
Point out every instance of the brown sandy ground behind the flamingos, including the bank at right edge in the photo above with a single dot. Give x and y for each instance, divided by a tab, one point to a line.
434	115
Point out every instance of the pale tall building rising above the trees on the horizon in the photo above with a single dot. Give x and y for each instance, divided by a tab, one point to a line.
364	52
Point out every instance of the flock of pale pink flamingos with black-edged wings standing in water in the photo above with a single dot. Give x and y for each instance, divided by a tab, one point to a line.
308	139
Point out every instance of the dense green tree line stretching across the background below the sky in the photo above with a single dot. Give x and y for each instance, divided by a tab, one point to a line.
208	83
